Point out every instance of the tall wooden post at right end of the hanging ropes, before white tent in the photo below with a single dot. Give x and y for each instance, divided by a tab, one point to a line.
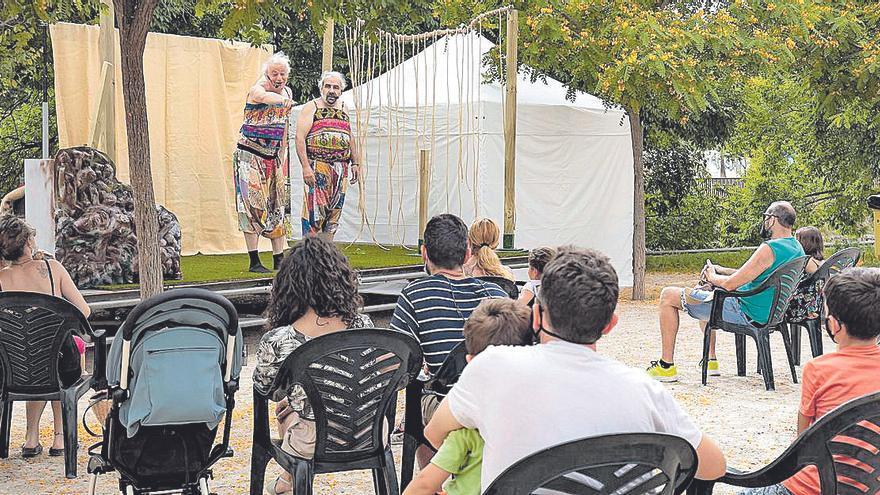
510	132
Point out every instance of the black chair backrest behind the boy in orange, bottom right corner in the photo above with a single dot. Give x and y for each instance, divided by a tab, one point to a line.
845	447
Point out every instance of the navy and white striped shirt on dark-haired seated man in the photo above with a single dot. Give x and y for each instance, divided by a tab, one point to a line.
434	310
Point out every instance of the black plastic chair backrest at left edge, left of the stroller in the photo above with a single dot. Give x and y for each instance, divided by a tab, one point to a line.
33	328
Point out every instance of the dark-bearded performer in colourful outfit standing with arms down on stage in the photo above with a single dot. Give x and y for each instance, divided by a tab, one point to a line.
327	152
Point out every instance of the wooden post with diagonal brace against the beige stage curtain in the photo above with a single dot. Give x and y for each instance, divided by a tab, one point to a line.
107	105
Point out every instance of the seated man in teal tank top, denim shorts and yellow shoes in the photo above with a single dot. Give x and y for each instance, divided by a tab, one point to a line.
779	248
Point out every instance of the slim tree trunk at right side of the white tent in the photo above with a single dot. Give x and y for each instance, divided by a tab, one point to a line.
637	135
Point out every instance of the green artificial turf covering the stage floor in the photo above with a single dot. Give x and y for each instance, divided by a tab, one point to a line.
214	268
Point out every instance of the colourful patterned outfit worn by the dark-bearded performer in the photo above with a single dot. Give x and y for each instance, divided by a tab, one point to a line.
328	146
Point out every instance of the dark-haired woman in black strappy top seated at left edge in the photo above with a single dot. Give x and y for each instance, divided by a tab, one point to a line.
30	270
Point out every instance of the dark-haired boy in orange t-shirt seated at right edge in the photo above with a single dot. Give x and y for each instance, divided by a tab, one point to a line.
852	298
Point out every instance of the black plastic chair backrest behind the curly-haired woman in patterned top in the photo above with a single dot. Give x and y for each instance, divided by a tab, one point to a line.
350	379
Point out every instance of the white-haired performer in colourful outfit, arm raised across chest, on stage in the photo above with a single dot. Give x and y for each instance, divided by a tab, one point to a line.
260	162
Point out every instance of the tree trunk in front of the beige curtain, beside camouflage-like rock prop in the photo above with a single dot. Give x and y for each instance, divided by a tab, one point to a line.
133	18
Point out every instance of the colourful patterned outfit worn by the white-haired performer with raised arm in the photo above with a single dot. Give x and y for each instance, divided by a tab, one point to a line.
260	168
